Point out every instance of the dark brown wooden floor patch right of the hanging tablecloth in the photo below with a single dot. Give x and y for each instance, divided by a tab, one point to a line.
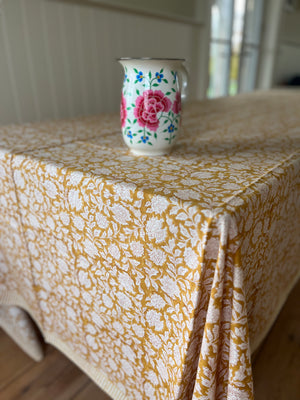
276	369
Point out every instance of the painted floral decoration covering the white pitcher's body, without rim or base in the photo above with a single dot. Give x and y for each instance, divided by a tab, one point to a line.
151	101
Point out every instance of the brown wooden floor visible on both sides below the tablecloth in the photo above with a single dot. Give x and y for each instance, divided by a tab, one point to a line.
276	368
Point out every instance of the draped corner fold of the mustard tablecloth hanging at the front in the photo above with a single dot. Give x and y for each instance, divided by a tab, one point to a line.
225	334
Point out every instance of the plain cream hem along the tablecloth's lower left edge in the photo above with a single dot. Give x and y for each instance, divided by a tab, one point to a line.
97	376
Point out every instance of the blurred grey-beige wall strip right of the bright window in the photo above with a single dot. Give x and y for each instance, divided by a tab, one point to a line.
288	59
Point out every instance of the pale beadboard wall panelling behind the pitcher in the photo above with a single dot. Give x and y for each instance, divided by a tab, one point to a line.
57	60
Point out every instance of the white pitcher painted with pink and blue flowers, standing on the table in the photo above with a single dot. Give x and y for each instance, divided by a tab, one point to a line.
151	104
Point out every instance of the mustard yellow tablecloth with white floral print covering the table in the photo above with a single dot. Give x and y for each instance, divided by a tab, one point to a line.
157	276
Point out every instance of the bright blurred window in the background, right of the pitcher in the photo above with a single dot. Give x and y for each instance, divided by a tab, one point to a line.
234	47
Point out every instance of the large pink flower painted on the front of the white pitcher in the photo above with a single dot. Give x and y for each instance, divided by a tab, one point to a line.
148	106
